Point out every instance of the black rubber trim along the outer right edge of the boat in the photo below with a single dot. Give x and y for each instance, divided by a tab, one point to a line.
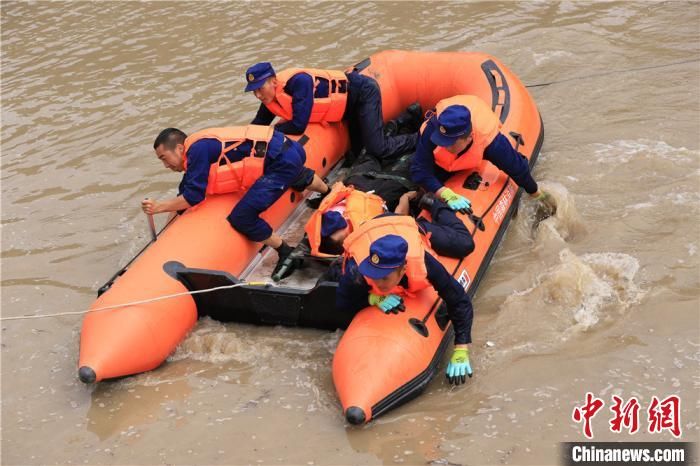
415	386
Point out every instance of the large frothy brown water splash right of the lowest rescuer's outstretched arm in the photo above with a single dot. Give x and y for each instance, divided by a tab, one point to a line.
572	297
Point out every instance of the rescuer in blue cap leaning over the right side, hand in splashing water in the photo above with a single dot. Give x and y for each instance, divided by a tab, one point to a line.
460	133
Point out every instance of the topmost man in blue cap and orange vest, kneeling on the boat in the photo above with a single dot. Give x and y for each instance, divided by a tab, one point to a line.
304	95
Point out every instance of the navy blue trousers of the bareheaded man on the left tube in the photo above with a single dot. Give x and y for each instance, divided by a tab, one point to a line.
280	172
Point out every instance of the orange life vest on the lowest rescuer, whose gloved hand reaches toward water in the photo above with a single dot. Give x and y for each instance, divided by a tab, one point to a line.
357	246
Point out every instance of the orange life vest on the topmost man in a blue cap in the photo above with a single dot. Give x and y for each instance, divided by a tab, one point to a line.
325	109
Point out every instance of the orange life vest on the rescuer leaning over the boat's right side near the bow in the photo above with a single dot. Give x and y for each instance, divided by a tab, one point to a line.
485	127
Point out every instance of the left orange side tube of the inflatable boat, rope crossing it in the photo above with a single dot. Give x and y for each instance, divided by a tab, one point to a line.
139	338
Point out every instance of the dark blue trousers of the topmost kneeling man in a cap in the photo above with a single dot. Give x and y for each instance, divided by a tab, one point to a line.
364	115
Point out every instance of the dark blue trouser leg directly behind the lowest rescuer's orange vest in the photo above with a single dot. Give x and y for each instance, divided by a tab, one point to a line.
448	235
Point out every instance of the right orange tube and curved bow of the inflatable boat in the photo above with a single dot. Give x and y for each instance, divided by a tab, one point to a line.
412	344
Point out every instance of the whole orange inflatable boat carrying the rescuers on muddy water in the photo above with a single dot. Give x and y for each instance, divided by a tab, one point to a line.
411	344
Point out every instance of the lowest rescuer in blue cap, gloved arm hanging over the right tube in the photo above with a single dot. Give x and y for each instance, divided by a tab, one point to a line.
400	264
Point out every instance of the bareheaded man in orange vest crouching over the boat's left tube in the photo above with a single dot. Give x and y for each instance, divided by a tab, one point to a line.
257	159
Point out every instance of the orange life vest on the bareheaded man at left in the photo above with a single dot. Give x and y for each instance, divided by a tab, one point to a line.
226	176
